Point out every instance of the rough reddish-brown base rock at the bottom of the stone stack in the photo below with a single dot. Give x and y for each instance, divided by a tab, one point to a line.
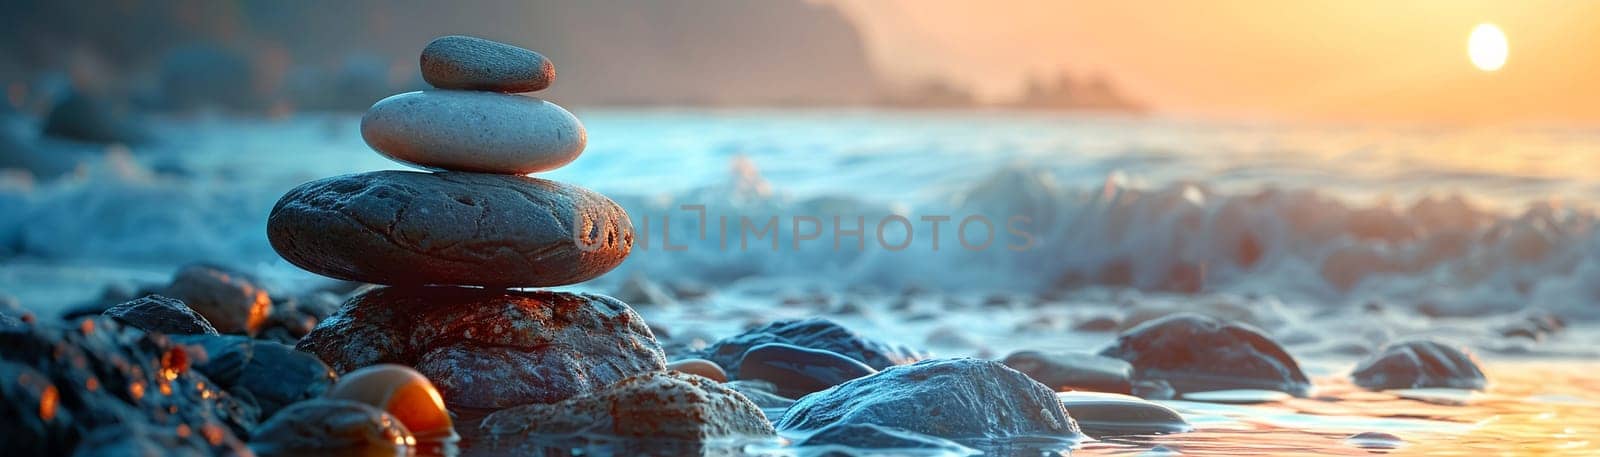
490	349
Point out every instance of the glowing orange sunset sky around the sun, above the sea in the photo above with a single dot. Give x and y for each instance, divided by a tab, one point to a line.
1356	60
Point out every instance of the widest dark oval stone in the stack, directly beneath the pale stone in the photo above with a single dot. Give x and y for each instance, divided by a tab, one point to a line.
412	229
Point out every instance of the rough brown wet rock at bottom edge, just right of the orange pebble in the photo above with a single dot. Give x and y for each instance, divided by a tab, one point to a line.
654	407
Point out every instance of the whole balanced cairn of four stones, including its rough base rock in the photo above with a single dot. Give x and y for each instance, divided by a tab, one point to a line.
458	245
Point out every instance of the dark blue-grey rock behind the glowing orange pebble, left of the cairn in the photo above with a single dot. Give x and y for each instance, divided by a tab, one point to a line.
271	373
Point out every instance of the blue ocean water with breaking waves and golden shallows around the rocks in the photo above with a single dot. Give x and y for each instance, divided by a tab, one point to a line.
1334	239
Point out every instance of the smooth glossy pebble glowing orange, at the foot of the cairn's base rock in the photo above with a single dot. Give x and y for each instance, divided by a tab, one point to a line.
404	394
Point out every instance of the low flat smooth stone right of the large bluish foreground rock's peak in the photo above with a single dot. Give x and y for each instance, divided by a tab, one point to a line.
1114	415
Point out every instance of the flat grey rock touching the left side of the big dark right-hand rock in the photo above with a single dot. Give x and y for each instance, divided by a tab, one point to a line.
1074	372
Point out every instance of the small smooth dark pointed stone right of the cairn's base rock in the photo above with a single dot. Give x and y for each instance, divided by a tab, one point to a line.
796	372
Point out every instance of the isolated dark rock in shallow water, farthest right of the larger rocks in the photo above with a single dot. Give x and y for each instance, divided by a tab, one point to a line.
1418	365
